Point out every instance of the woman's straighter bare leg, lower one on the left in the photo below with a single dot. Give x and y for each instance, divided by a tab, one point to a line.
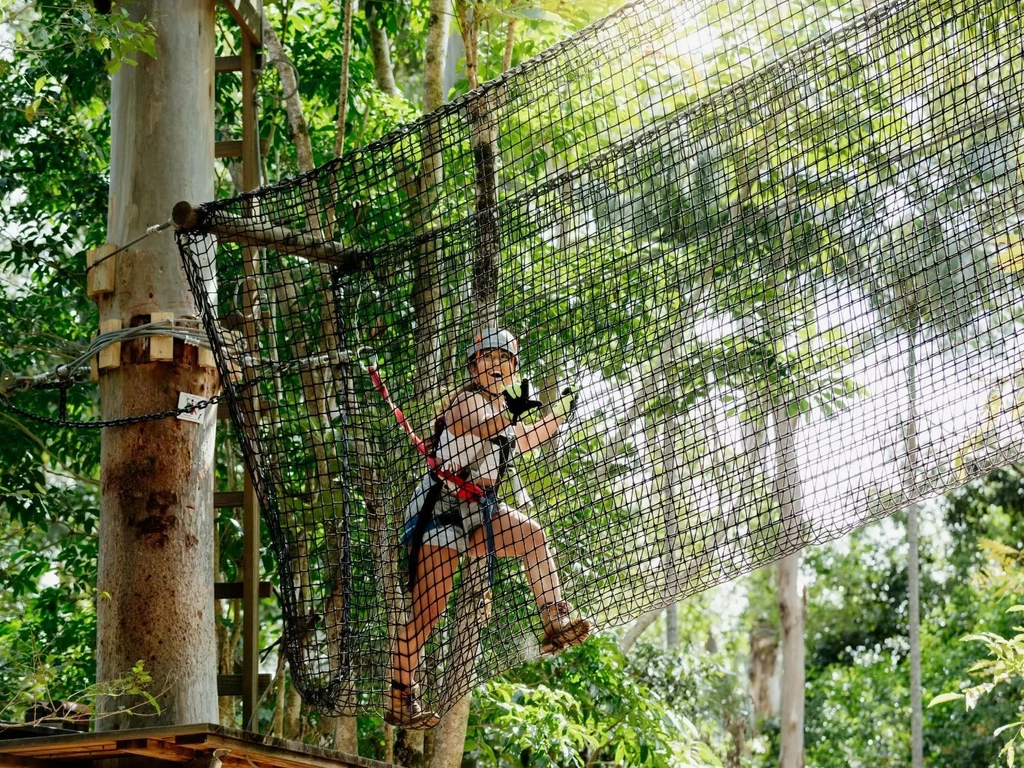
436	577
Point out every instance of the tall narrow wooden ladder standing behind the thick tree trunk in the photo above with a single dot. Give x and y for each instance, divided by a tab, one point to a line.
249	16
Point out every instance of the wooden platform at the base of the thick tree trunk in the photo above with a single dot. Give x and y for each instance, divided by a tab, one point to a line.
176	745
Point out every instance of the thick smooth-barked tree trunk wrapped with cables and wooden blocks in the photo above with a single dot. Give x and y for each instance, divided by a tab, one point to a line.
156	540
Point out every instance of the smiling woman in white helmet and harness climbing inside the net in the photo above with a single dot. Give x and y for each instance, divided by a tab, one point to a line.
456	511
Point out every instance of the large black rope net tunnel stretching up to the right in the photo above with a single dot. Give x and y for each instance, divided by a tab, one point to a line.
776	254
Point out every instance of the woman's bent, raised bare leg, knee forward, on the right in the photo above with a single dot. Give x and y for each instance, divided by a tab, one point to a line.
519	536
